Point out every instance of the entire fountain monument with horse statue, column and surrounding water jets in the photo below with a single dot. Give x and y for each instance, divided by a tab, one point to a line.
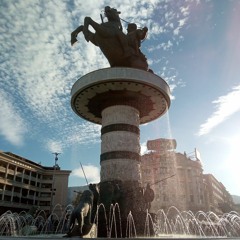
120	98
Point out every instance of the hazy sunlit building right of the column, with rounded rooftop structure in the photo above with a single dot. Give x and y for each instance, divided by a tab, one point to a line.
178	180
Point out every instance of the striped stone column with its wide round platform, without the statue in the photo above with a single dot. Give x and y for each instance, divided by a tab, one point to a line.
120	99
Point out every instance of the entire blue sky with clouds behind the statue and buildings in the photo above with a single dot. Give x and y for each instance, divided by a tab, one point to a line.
193	45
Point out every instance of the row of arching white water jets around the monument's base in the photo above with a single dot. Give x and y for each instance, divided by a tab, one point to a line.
184	224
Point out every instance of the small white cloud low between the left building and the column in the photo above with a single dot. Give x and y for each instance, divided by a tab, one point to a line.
92	173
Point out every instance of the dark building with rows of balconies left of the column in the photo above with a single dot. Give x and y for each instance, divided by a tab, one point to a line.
25	184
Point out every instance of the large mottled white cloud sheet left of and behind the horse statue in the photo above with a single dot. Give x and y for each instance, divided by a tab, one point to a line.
39	66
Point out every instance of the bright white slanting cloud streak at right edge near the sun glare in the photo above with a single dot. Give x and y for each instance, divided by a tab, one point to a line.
225	106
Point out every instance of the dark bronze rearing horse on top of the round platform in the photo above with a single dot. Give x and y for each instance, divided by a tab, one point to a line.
114	44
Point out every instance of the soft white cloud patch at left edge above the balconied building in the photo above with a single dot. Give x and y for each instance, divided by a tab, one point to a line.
12	125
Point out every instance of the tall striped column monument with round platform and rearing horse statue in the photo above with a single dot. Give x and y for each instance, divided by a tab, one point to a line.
120	98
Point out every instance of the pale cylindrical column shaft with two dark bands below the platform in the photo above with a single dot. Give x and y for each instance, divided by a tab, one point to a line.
120	149
